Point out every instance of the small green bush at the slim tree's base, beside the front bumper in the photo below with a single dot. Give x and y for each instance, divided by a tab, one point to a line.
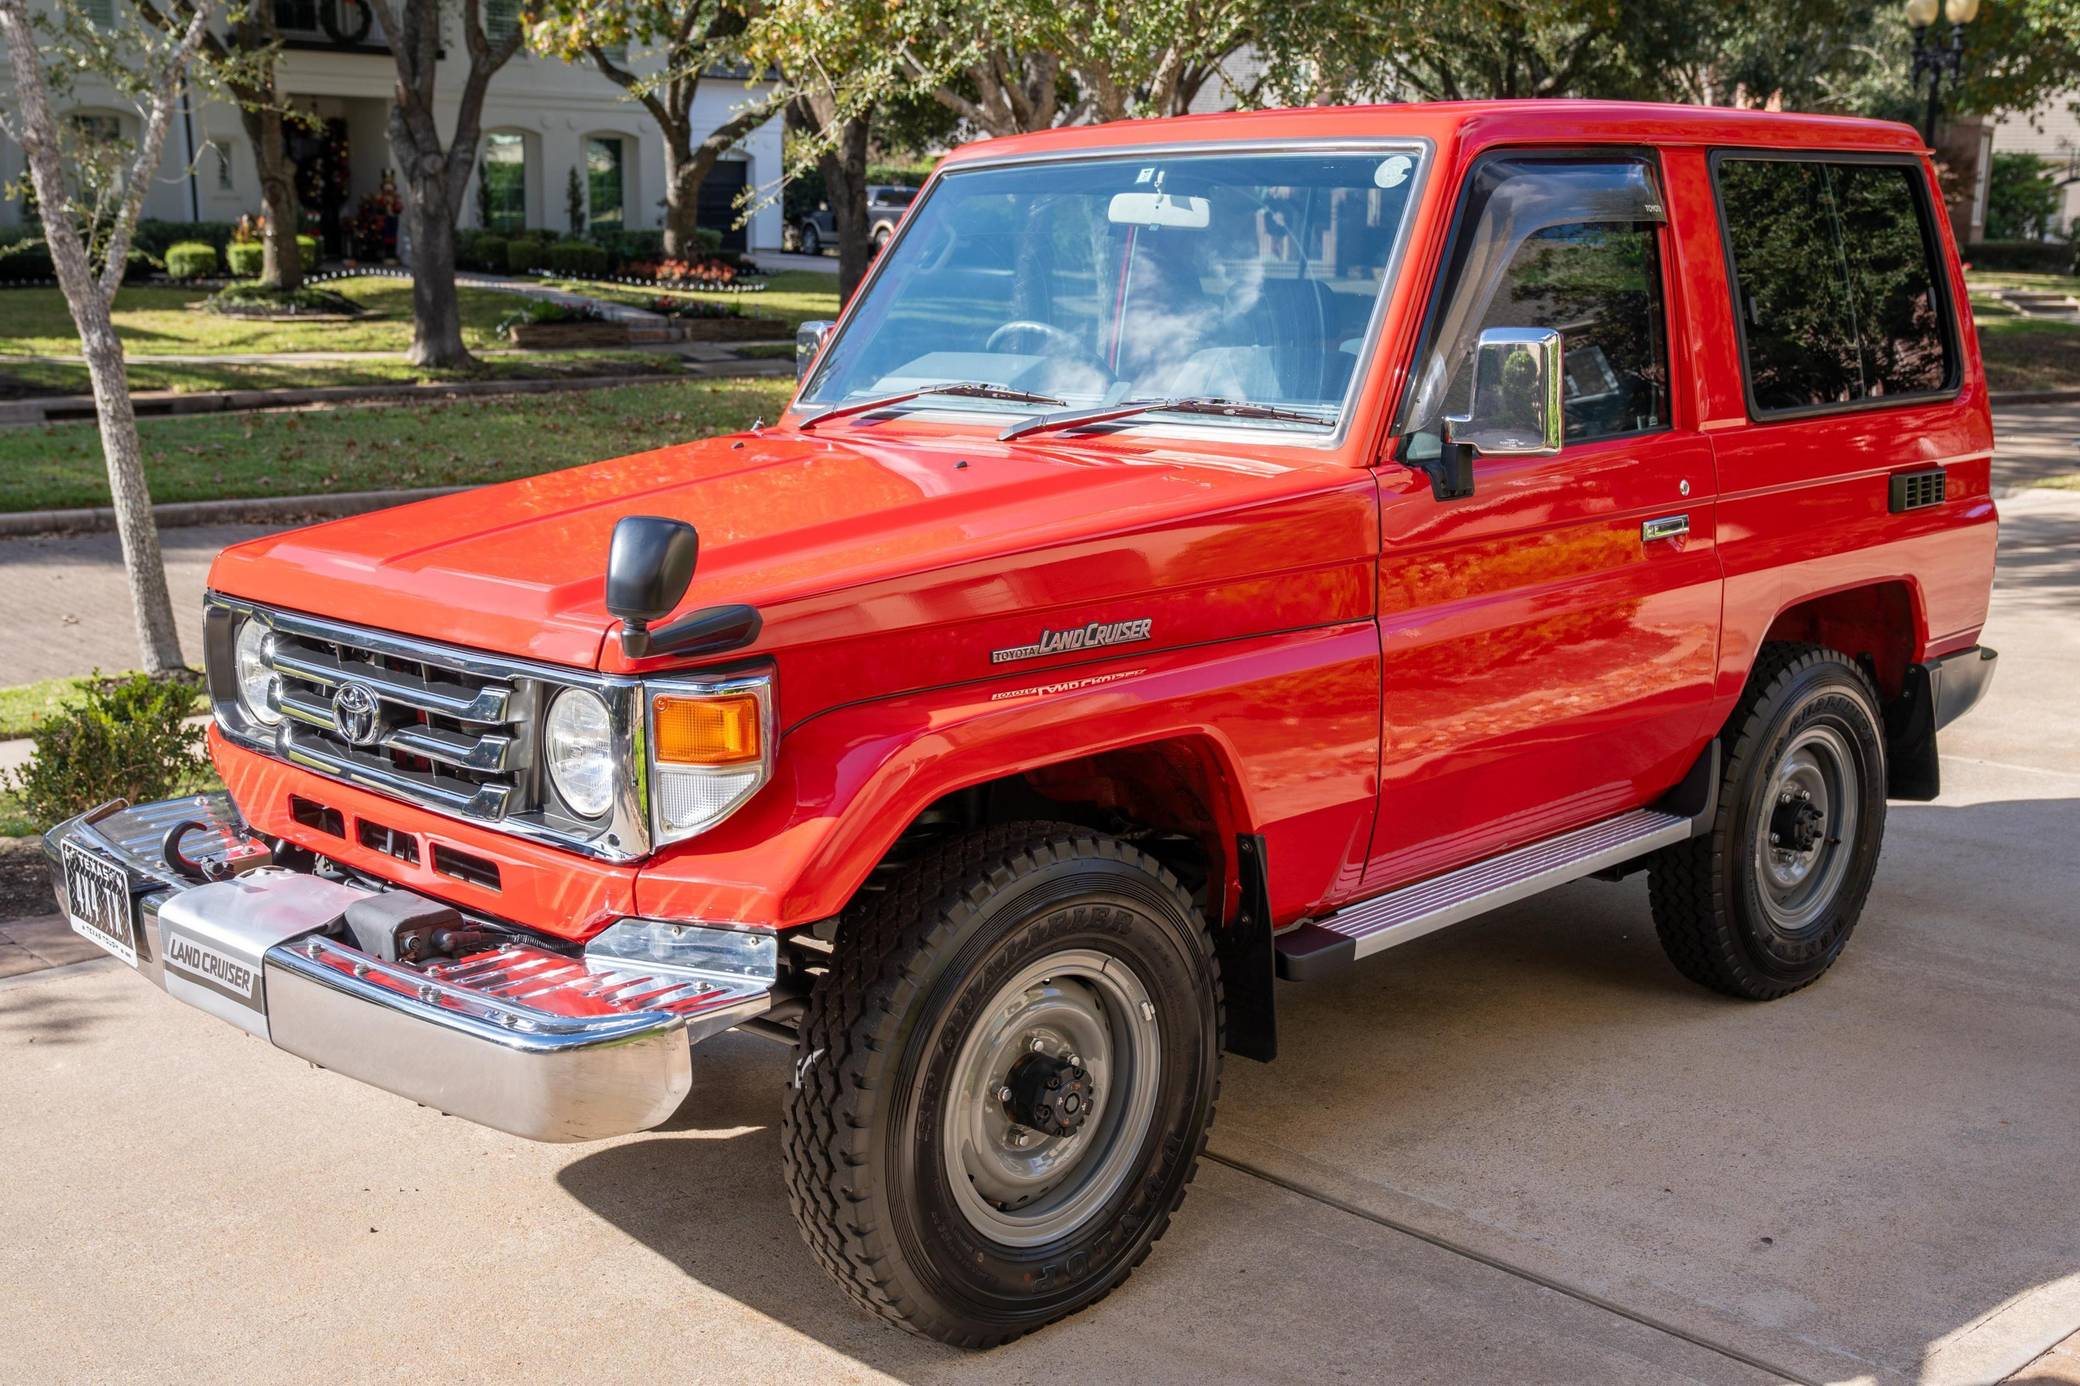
126	738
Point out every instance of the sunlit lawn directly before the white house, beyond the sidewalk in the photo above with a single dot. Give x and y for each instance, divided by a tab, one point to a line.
157	322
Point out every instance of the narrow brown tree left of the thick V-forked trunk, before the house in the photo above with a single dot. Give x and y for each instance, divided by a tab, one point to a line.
244	63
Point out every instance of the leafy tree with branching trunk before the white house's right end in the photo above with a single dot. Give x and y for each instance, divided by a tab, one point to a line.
696	36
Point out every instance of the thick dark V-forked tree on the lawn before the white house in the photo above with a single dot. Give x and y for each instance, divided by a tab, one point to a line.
436	176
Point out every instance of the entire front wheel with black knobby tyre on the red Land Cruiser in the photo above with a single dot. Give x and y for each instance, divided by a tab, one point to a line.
1004	1083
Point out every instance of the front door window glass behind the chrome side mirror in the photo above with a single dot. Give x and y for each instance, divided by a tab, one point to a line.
1601	286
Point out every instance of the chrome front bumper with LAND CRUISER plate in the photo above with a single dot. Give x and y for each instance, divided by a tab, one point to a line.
531	1042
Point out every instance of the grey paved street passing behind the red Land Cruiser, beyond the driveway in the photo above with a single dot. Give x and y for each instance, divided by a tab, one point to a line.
70	609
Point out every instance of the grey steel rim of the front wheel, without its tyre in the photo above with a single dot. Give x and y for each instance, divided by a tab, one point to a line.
1051	1098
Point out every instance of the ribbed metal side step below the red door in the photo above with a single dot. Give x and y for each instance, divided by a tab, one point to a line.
1424	908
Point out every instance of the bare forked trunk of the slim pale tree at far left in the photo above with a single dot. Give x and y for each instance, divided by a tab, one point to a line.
90	299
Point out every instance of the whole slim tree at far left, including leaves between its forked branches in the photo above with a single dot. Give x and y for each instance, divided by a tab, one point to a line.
149	68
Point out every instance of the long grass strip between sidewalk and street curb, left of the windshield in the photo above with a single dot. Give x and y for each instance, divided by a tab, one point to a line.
419	444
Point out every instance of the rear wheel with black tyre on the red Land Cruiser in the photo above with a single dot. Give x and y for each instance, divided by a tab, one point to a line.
1769	898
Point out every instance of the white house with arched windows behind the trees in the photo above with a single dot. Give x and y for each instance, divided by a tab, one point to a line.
542	120
